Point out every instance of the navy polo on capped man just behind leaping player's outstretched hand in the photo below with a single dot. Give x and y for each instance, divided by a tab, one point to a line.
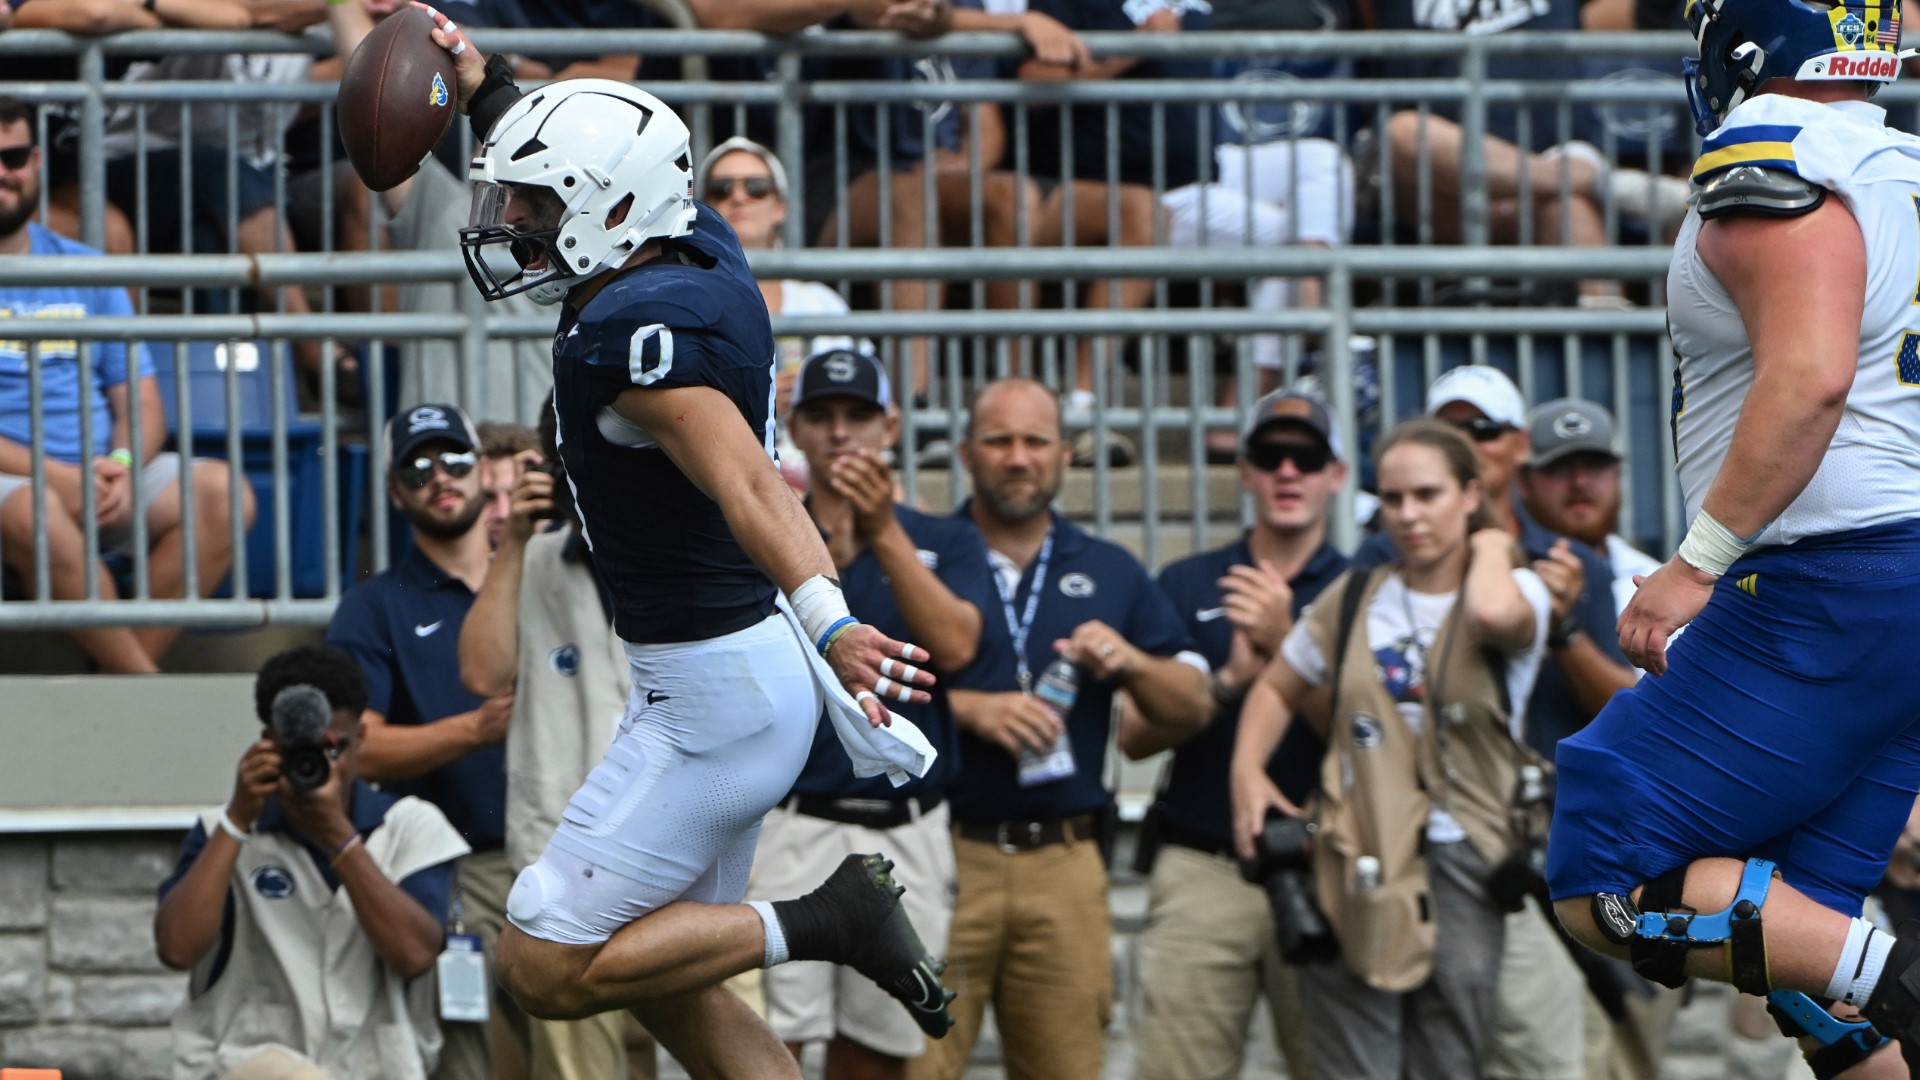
955	552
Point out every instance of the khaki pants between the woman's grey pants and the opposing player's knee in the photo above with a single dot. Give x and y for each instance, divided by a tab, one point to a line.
1541	1014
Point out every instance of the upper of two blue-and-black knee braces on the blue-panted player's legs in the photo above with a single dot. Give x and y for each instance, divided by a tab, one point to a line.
1660	937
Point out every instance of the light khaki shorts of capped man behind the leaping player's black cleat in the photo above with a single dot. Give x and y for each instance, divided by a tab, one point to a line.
815	1002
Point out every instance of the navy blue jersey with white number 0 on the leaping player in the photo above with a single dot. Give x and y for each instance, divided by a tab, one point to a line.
692	318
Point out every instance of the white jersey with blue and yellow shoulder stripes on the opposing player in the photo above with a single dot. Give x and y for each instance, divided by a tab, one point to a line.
1871	474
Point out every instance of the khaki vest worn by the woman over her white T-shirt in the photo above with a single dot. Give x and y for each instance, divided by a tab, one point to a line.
1381	779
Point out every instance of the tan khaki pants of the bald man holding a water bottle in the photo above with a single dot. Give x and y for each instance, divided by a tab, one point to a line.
1032	935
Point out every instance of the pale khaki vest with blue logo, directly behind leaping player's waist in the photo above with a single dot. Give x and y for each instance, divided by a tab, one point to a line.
562	724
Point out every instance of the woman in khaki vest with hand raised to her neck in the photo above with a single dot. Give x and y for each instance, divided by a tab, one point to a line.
1429	664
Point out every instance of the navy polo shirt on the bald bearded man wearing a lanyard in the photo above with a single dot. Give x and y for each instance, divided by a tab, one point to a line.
1088	579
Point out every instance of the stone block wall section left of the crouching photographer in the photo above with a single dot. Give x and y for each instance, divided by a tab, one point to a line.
80	983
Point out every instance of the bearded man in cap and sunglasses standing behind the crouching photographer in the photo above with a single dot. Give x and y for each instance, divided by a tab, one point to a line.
425	733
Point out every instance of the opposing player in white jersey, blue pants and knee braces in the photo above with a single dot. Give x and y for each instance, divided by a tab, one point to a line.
1727	818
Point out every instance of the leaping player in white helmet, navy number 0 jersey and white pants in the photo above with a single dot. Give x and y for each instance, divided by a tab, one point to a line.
663	393
